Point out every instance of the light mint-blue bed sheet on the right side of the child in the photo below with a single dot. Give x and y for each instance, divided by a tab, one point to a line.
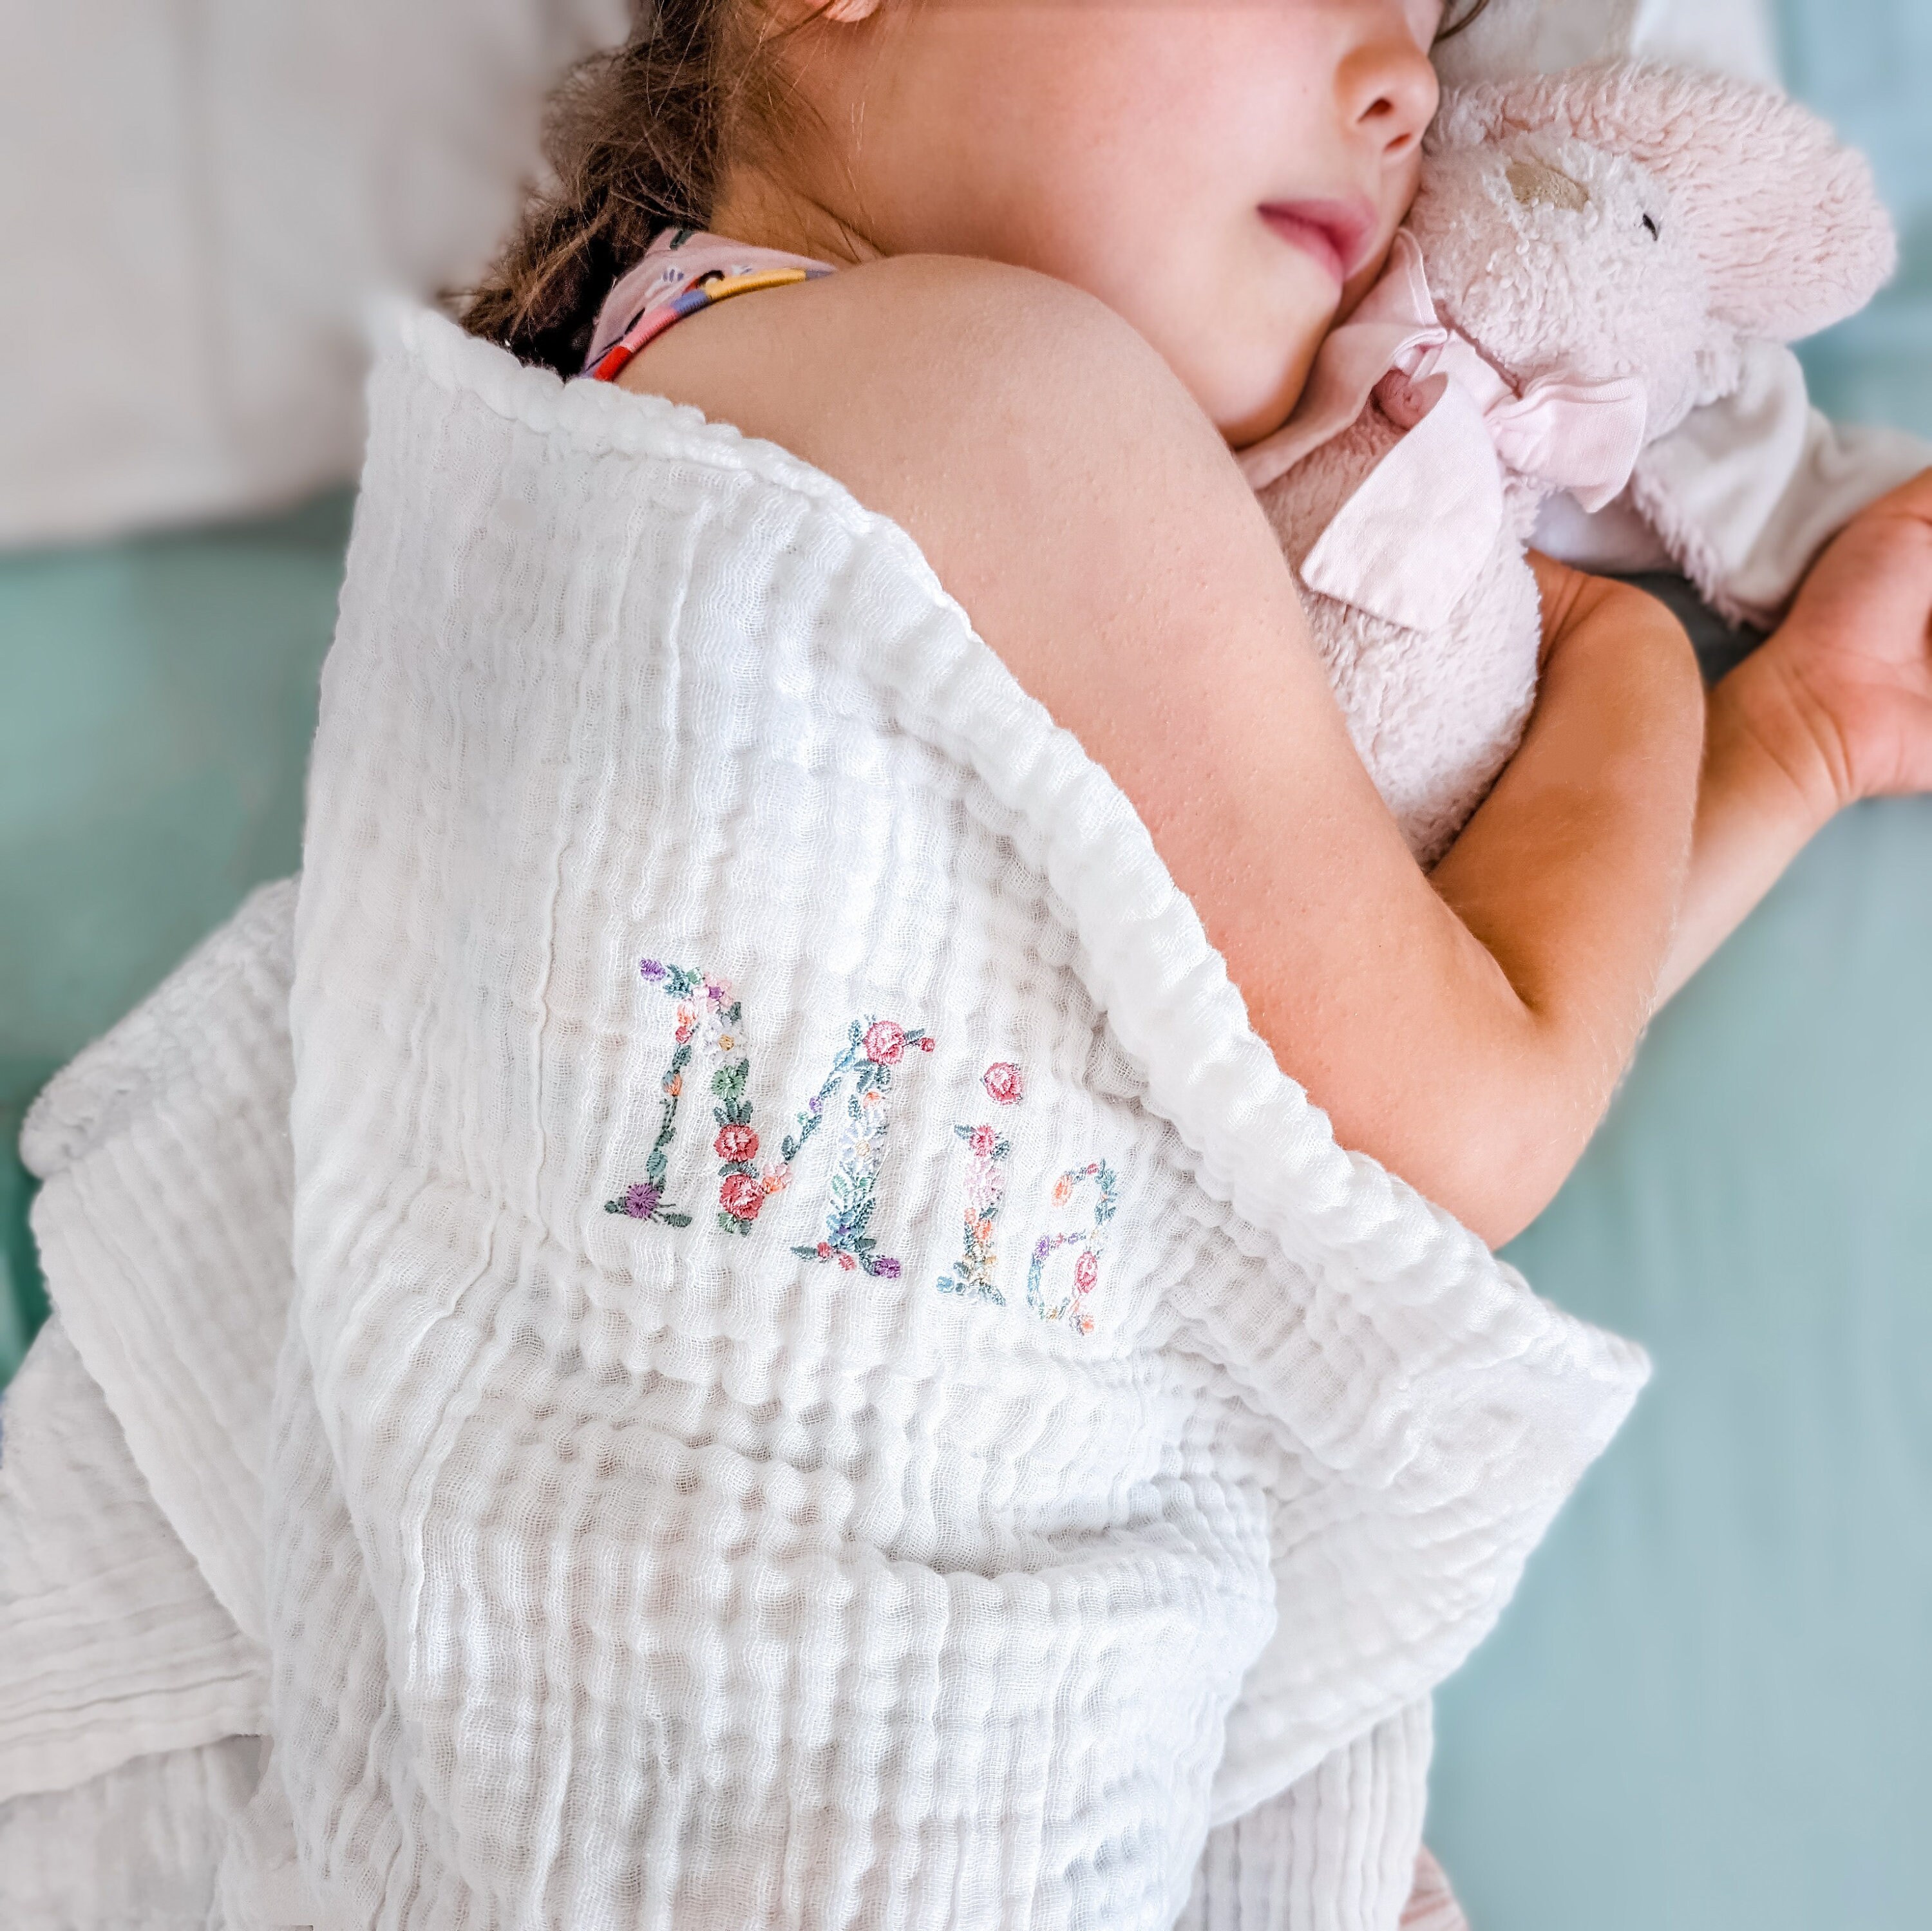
1711	1704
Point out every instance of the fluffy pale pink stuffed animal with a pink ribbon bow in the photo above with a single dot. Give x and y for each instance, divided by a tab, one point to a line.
1581	269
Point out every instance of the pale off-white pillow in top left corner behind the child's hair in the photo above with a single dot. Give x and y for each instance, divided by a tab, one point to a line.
200	196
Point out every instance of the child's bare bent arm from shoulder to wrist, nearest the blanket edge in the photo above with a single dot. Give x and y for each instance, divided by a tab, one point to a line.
1469	1030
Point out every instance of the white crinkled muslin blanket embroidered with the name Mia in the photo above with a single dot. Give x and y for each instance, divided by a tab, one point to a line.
830	1376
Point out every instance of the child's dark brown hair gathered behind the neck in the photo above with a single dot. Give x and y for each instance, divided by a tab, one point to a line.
637	140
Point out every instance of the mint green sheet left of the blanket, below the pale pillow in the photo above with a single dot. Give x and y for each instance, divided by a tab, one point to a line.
159	700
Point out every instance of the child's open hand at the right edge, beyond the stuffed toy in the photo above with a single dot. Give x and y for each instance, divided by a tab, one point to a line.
1846	685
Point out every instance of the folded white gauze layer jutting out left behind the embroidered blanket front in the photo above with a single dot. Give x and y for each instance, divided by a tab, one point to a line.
163	1225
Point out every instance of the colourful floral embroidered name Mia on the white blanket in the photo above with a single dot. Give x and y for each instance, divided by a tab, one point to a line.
710	1019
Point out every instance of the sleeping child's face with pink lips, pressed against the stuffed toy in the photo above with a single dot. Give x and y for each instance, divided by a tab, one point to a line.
1131	148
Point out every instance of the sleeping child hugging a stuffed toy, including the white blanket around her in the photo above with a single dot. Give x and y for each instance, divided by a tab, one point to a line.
834	1266
